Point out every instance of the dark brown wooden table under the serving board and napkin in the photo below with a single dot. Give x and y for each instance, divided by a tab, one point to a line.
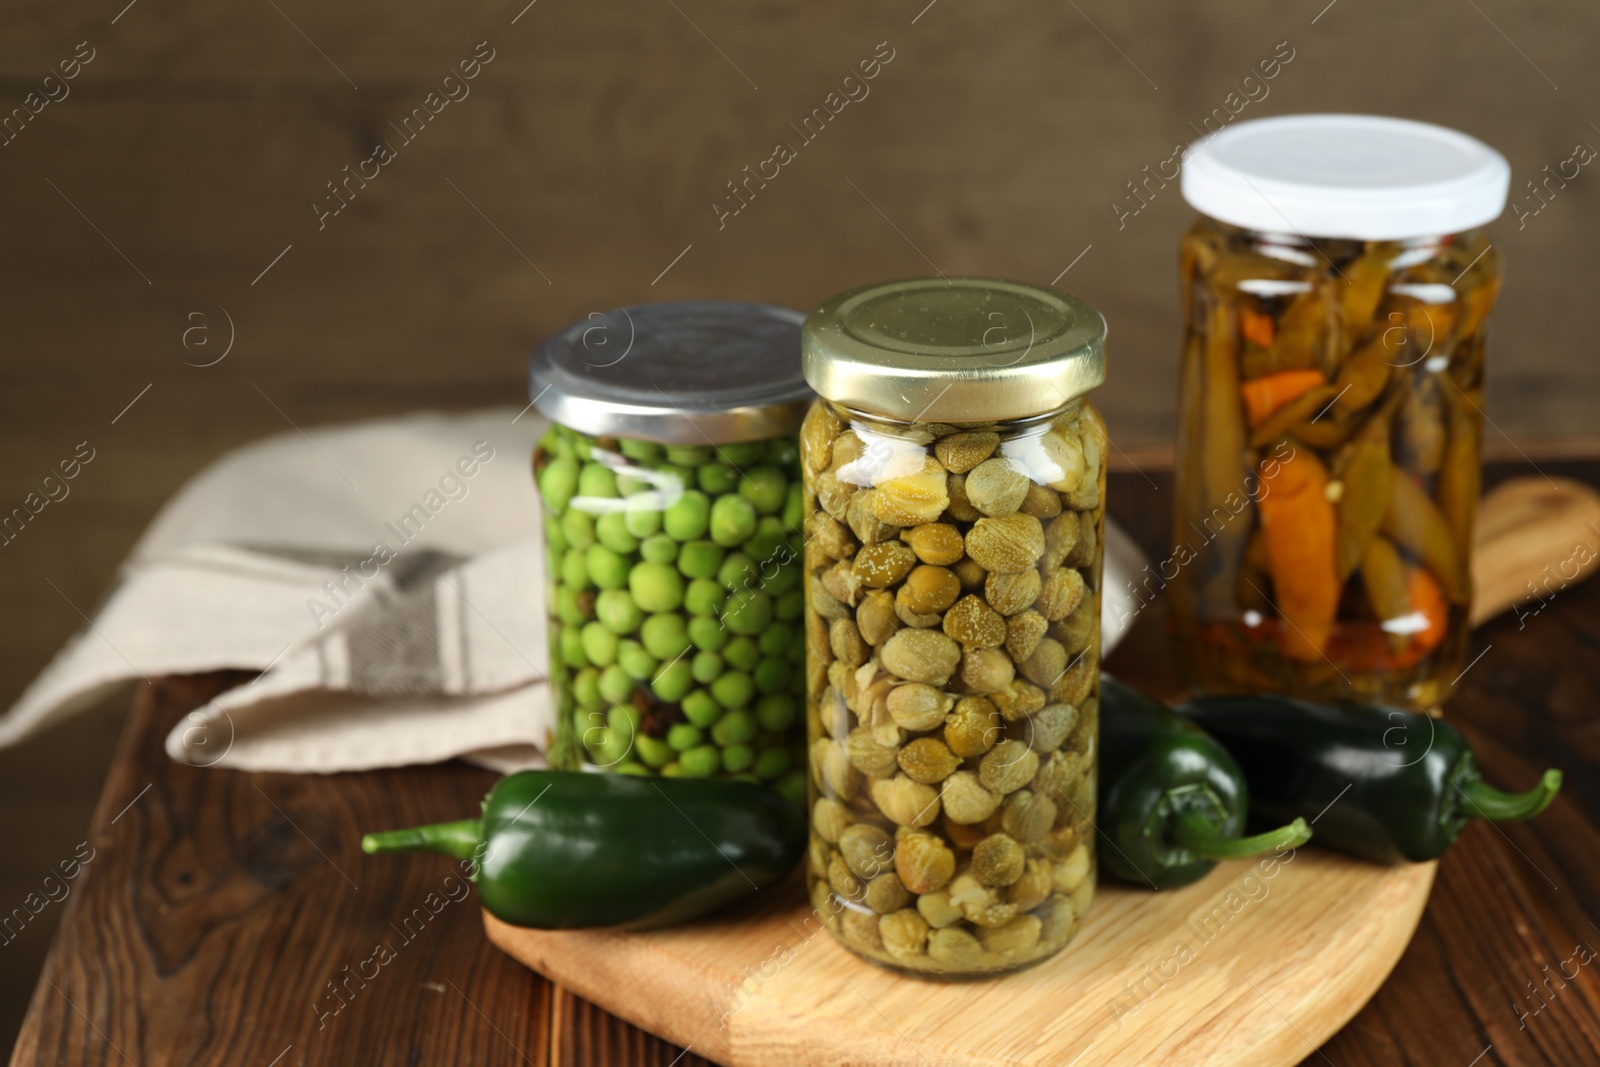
218	906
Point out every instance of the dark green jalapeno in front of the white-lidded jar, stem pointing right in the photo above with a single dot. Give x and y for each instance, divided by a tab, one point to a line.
1380	783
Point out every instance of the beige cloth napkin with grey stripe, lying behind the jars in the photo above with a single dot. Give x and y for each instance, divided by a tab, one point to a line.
383	578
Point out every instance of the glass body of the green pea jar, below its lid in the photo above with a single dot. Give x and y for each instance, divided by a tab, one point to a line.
673	588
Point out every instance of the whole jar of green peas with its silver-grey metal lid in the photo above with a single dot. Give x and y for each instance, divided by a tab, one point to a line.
671	492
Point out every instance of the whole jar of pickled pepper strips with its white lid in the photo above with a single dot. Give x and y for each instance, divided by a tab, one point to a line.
1337	295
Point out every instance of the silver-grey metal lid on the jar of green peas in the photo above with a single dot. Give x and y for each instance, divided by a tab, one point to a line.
681	374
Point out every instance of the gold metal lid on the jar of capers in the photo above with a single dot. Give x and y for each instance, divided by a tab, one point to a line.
954	350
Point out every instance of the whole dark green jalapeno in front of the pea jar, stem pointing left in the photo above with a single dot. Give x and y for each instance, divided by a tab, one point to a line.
566	849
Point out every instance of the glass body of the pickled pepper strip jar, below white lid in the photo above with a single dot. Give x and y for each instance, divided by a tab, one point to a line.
1329	462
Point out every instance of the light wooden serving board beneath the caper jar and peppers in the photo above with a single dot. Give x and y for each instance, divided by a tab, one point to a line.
1252	965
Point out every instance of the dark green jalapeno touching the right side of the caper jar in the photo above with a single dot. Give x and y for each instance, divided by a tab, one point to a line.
1174	802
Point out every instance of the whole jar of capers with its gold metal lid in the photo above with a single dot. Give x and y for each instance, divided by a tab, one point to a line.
954	497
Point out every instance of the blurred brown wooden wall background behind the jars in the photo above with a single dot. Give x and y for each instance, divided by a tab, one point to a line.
180	170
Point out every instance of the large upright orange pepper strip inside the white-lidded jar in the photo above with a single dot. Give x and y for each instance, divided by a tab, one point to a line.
1298	522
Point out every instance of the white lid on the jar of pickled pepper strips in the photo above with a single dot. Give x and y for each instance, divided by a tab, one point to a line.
1359	177
